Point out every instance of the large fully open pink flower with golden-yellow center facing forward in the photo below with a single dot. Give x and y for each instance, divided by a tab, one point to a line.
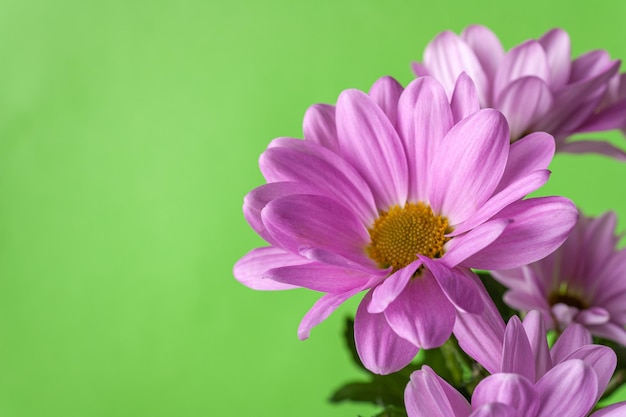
400	192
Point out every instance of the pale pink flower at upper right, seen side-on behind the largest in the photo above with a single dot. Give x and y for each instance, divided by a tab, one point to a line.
535	84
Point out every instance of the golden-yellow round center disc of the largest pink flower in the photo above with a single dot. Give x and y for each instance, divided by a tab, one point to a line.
400	233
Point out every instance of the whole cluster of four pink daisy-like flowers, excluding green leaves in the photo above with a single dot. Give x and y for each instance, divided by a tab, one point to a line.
401	193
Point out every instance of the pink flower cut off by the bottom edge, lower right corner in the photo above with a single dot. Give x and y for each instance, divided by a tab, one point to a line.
531	380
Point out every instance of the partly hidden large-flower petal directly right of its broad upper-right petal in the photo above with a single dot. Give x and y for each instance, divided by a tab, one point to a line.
529	154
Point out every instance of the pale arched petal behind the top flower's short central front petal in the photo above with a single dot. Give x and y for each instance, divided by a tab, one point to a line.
526	59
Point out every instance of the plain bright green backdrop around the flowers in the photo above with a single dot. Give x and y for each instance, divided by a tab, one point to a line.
129	134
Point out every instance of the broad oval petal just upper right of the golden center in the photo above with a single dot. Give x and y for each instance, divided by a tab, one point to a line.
468	165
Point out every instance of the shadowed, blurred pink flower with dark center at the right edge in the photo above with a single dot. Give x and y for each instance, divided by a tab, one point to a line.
584	281
